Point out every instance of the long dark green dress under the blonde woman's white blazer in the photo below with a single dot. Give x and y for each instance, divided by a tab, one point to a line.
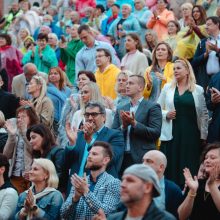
184	149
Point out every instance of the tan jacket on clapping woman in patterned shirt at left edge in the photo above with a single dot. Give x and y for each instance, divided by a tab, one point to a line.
11	147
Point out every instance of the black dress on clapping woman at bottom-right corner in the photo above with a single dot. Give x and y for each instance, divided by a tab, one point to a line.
204	207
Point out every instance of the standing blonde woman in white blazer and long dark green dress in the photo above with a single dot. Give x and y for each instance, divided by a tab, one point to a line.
183	106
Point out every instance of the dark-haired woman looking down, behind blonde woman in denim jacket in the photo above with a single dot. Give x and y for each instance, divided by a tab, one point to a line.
43	144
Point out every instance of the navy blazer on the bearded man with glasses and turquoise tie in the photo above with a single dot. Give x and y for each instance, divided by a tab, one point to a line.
74	155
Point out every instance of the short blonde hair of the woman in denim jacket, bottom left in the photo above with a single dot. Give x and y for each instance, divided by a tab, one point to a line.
48	167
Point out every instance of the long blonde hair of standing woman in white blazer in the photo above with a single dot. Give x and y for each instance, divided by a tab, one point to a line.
191	80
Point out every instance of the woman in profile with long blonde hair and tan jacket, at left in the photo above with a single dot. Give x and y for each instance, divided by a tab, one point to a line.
37	88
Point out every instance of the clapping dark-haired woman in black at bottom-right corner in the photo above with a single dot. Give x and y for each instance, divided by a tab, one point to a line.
203	197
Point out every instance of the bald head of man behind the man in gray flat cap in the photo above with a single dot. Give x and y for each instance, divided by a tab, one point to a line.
157	160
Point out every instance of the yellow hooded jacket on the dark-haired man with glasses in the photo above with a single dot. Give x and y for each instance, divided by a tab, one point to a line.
106	80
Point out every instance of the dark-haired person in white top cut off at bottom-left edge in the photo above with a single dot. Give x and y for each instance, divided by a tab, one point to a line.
8	195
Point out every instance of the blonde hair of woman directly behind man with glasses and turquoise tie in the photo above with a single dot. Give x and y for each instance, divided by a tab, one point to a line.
95	95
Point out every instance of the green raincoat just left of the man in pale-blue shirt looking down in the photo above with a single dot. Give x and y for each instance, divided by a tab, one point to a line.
68	56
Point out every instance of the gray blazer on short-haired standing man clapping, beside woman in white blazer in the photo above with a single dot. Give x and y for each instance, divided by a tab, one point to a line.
144	135
